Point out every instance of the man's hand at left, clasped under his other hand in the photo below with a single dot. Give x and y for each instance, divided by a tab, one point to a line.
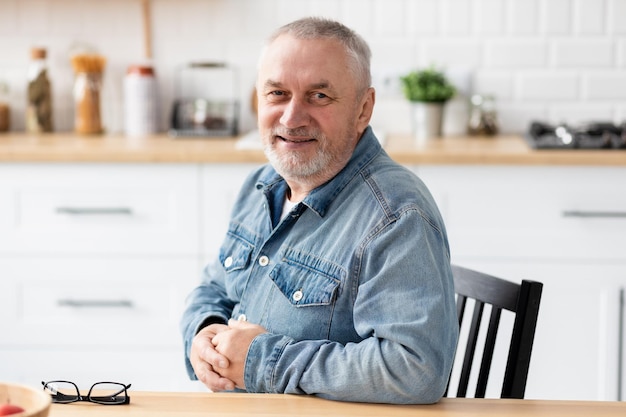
207	363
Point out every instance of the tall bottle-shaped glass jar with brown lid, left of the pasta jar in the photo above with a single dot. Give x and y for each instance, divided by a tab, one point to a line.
39	94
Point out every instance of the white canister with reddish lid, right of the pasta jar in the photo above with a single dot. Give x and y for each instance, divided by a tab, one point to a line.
140	101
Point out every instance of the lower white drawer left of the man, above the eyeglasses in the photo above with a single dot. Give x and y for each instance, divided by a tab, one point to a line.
94	318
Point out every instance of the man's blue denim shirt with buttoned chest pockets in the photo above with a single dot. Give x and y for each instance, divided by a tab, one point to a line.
354	286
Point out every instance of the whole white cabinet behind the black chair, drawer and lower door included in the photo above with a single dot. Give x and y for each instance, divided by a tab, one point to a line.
565	227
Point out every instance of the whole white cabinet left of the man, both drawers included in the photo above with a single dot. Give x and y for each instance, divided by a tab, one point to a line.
95	263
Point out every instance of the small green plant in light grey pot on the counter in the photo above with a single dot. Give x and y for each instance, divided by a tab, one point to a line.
428	90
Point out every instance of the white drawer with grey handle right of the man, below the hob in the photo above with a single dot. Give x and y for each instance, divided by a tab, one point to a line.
538	212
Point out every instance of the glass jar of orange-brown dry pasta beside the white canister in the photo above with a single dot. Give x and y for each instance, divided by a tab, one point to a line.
87	88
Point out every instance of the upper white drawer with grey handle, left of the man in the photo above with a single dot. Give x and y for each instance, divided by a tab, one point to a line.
74	208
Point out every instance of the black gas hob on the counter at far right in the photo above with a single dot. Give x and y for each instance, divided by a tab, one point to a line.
595	135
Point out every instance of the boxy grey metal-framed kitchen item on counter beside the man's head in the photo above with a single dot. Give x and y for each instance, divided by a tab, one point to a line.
206	105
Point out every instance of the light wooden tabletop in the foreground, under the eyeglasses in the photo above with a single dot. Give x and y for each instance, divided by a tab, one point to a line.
157	404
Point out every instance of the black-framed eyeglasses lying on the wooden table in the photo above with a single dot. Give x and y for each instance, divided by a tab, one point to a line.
105	393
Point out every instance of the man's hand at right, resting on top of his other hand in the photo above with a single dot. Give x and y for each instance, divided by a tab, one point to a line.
234	343
